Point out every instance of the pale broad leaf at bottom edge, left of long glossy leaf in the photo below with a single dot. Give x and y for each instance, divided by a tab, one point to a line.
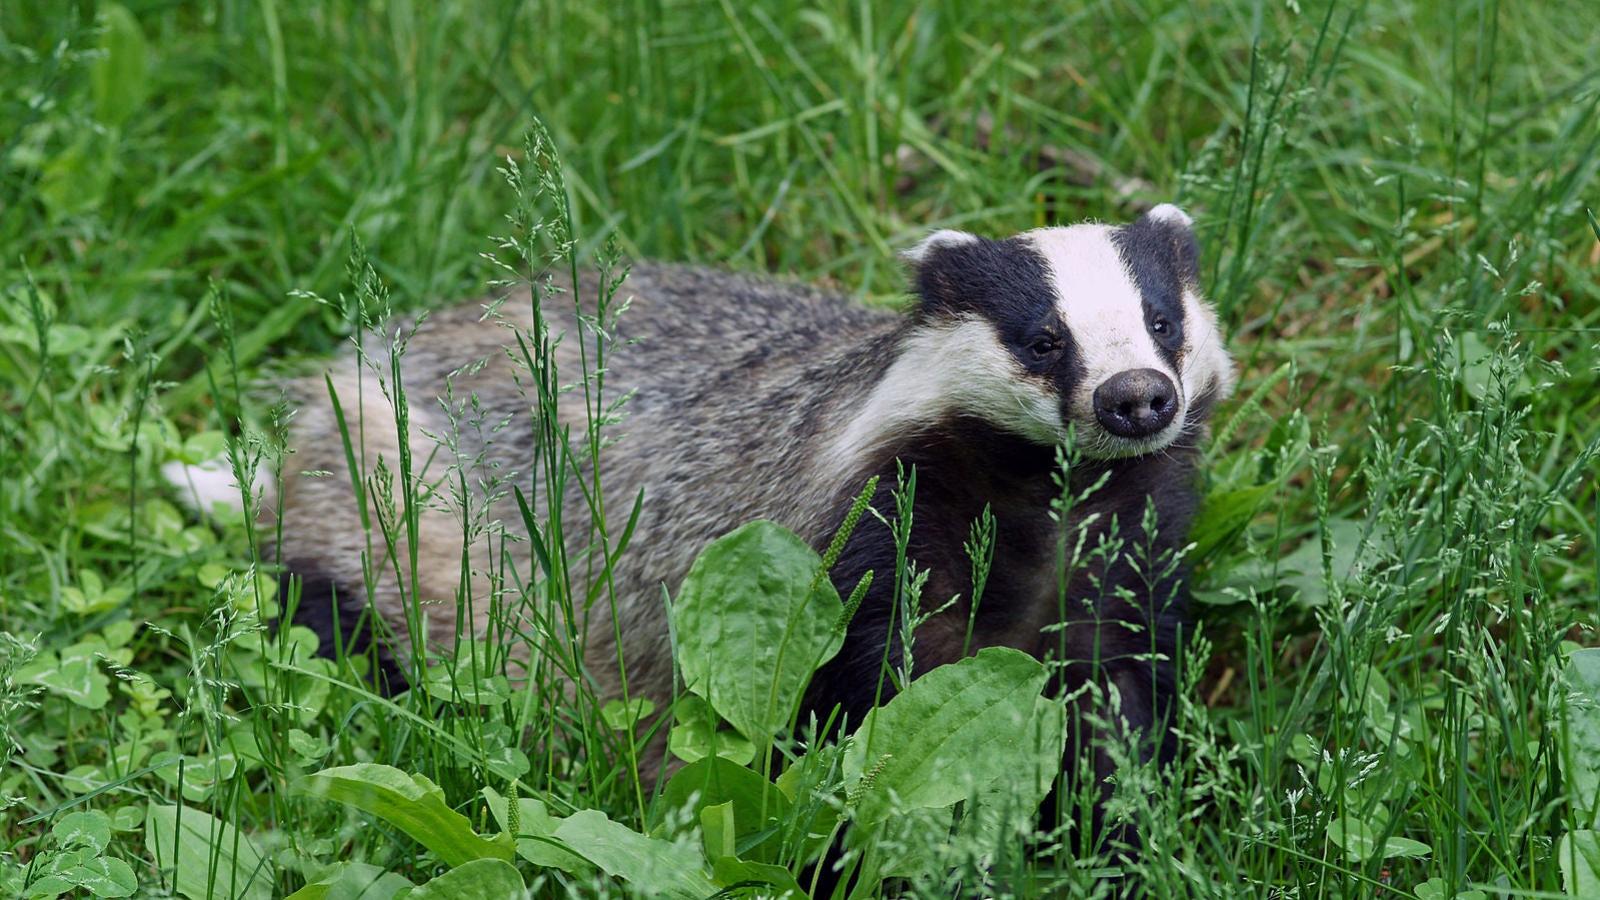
209	859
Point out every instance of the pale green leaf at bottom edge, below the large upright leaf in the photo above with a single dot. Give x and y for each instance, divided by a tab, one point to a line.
662	869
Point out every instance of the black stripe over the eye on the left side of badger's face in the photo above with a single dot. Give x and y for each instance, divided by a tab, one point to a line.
1007	284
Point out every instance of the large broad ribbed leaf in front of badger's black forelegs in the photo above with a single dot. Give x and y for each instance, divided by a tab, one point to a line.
951	734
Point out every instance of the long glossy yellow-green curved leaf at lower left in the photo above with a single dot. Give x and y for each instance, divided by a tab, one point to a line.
410	803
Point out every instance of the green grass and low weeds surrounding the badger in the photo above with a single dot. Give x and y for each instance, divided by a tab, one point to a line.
1399	548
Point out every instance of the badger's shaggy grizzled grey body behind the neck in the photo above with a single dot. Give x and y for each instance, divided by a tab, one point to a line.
729	384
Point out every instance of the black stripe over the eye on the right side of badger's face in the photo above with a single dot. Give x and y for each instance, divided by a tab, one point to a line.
1162	257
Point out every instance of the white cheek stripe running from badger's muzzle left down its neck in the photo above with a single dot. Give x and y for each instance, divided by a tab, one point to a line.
954	368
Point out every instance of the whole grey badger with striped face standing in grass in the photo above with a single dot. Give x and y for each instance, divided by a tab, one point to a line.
761	400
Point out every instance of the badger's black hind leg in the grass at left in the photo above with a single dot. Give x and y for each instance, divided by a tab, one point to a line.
342	621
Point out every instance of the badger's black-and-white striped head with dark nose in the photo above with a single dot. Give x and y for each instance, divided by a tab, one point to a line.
1090	326
